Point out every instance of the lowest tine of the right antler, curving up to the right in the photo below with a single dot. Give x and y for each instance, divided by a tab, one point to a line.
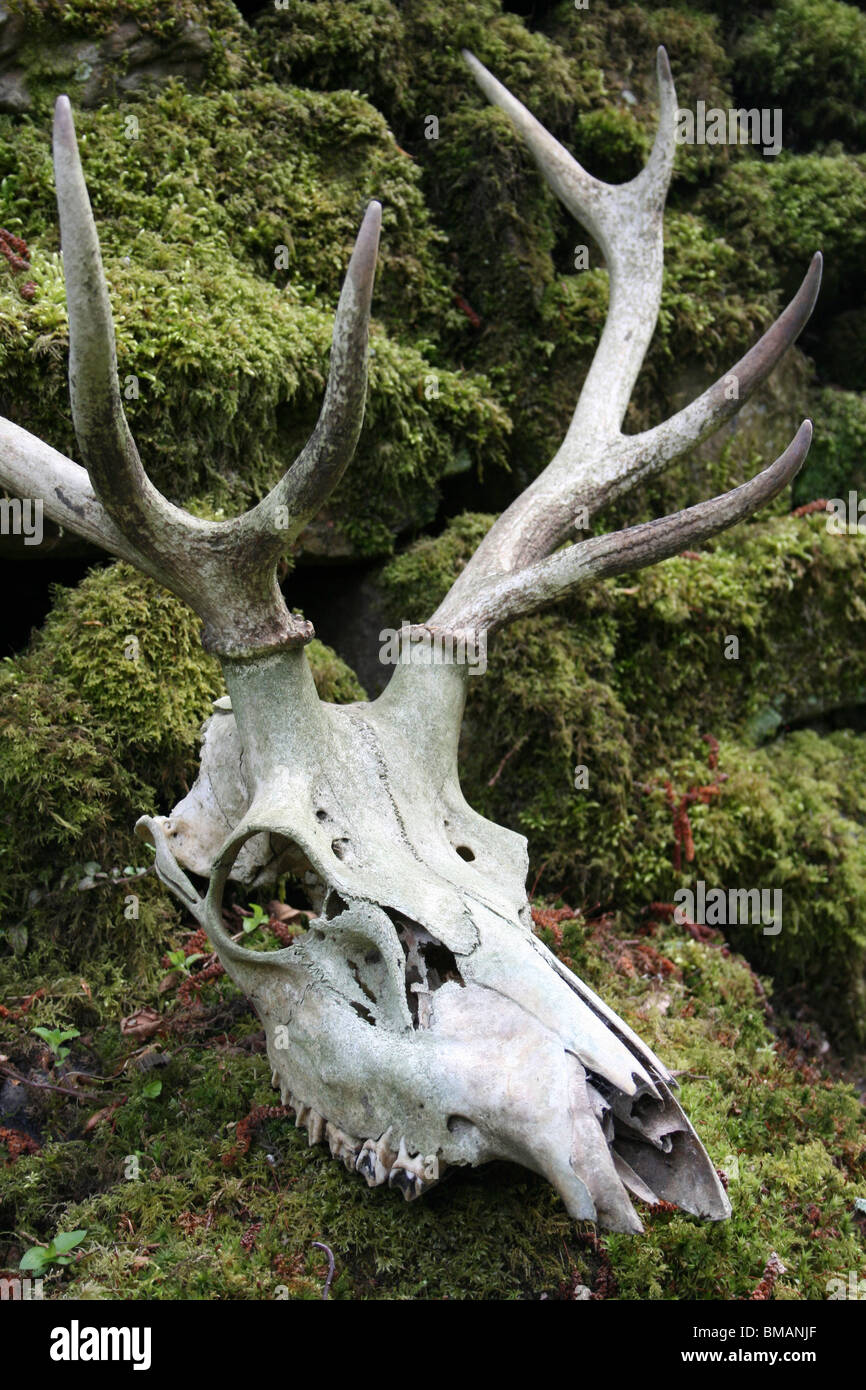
507	597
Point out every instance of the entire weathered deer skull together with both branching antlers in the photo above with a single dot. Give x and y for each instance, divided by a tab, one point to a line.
418	1024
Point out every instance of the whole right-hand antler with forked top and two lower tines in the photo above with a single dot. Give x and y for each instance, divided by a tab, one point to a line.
509	575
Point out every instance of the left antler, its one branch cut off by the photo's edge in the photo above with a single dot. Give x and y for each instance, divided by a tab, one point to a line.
226	571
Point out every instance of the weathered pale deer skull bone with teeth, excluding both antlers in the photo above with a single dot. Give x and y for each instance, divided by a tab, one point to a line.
418	1024
